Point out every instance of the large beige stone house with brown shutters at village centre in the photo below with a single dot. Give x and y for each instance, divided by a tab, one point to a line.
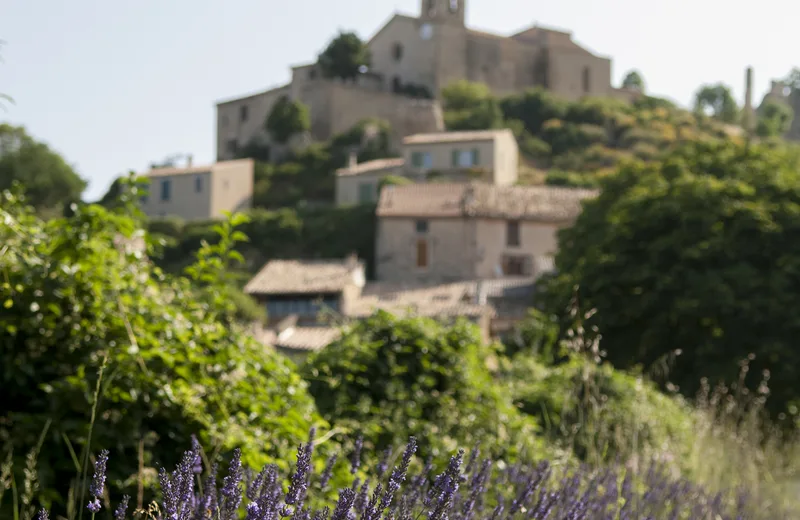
448	232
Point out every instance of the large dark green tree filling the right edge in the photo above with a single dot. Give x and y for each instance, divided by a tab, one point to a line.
690	263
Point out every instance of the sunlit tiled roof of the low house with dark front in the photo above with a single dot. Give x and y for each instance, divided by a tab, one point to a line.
305	276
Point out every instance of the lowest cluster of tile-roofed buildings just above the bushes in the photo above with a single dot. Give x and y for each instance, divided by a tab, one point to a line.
307	301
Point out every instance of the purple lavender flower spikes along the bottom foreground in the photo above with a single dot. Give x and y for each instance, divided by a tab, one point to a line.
462	490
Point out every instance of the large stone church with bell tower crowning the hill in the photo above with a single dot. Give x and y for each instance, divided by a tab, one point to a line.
424	53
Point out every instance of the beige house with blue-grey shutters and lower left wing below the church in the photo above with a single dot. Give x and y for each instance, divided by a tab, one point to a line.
488	155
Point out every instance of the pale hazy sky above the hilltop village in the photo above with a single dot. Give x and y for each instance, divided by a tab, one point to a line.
113	85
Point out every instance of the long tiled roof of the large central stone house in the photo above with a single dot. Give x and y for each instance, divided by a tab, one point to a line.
481	200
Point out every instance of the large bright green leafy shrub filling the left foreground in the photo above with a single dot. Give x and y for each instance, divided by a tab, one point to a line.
87	323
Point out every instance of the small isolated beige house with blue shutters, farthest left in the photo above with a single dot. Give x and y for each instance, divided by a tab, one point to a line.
199	192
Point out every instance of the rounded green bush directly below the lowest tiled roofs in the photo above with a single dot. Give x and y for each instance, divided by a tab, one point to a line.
388	378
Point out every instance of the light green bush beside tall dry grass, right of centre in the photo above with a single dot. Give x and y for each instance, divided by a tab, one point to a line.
601	413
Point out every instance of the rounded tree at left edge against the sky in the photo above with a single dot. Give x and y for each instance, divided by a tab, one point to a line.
50	183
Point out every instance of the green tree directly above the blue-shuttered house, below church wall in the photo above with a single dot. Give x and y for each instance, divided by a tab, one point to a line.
470	106
